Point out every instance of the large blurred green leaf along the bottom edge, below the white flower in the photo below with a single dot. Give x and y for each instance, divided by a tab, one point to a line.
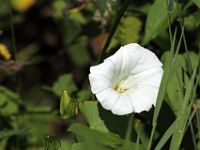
91	138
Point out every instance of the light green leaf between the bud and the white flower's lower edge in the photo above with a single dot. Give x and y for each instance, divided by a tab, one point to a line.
90	112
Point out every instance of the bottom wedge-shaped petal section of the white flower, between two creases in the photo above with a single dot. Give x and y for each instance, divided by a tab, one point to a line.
123	105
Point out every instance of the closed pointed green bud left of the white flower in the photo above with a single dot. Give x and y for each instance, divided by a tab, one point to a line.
68	107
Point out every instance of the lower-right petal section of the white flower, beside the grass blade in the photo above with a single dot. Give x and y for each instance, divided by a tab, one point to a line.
140	102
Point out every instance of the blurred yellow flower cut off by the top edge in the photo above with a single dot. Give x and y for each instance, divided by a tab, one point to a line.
22	5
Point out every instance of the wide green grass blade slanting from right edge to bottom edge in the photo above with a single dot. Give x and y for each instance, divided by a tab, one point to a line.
183	116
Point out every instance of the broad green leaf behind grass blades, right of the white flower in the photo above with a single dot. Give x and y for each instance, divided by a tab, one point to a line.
176	83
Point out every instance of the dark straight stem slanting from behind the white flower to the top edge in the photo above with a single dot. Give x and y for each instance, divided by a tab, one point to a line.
113	28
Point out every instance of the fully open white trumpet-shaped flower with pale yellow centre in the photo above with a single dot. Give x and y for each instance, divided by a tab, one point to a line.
127	81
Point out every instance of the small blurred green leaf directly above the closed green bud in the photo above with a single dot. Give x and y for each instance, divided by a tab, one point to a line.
64	82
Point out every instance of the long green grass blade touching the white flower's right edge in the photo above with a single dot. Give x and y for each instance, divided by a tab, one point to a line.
163	86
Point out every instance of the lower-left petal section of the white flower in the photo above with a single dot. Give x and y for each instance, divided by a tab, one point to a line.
107	98
